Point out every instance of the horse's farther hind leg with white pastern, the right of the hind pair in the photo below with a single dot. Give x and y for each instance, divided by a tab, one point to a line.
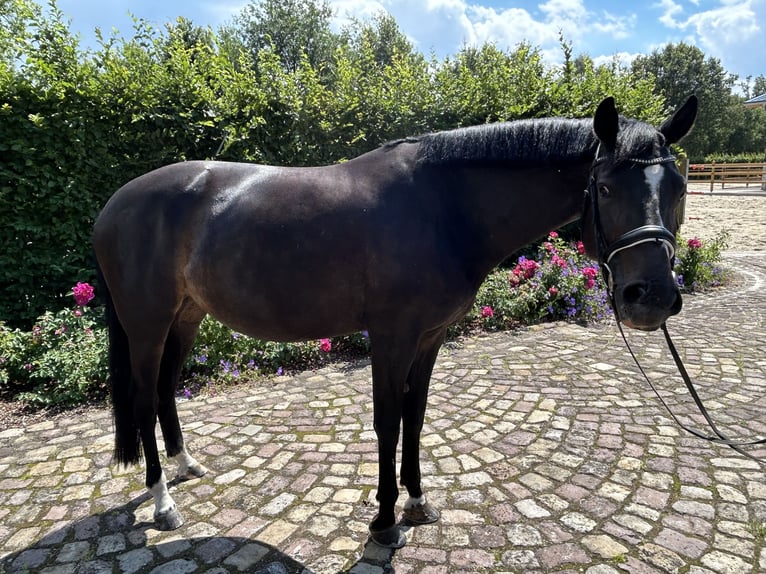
178	345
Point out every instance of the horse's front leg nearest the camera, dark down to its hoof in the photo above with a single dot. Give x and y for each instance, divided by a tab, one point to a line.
391	361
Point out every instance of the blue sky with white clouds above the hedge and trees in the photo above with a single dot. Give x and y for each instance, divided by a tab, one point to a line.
731	30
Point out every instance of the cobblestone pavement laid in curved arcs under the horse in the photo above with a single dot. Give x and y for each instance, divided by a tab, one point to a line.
543	448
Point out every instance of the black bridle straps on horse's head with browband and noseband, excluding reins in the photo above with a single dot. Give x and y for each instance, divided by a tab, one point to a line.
644	234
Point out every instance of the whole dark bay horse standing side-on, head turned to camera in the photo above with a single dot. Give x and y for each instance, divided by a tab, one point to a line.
395	242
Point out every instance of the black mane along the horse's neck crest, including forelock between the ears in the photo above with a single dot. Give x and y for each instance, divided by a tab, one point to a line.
533	143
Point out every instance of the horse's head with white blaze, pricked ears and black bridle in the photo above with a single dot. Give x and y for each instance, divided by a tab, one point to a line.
631	216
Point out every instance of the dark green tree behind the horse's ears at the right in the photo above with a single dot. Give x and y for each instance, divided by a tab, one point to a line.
680	70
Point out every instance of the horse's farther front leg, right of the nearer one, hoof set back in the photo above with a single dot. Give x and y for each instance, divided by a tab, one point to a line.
417	510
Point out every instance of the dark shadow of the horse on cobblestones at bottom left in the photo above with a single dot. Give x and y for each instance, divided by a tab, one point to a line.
123	539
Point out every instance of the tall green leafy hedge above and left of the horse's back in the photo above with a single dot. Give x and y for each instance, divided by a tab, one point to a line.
78	124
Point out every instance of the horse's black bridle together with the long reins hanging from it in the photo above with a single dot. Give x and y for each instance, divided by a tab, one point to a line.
656	234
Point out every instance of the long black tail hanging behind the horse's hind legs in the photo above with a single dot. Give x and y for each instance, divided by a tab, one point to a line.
127	440
